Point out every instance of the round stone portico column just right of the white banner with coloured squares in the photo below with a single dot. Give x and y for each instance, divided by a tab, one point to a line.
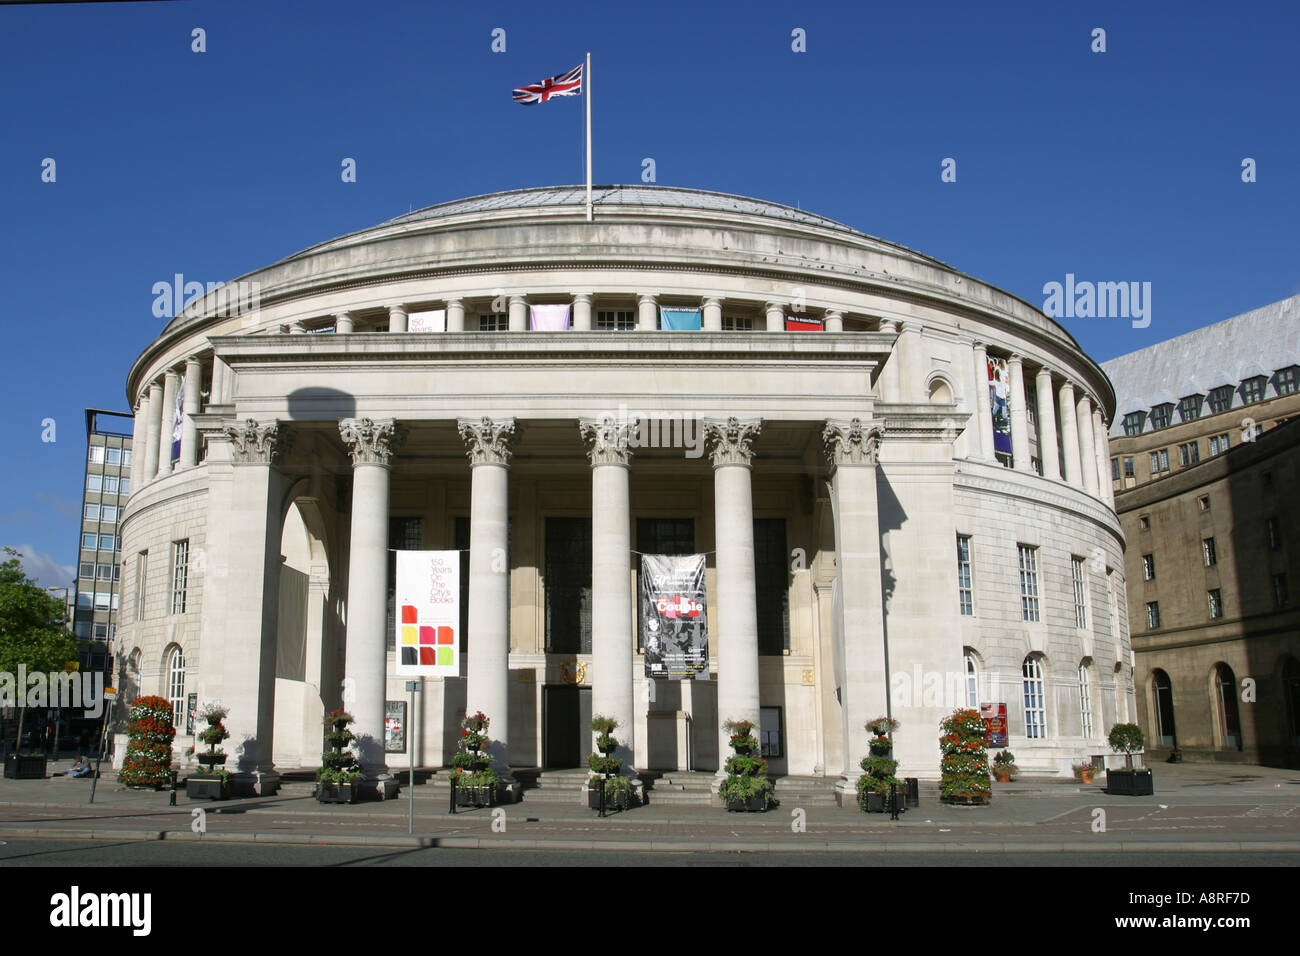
488	686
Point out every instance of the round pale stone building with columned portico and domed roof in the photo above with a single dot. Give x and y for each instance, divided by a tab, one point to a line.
690	373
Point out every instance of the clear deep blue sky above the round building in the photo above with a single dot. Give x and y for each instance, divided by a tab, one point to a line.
1124	166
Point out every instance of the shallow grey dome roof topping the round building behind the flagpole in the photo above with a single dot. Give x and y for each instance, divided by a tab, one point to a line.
662	197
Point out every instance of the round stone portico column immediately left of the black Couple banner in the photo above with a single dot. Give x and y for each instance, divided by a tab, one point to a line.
612	579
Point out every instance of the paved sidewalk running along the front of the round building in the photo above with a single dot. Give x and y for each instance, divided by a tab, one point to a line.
1195	807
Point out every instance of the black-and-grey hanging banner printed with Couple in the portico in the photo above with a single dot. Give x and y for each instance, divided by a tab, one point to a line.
674	622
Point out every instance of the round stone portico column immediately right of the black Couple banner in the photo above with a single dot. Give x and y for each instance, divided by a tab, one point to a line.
731	448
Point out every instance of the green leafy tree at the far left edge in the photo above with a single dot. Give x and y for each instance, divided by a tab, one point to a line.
33	633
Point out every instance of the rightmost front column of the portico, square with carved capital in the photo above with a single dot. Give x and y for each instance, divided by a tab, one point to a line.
852	448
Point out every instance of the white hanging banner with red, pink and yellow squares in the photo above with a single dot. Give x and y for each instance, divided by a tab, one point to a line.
428	600
